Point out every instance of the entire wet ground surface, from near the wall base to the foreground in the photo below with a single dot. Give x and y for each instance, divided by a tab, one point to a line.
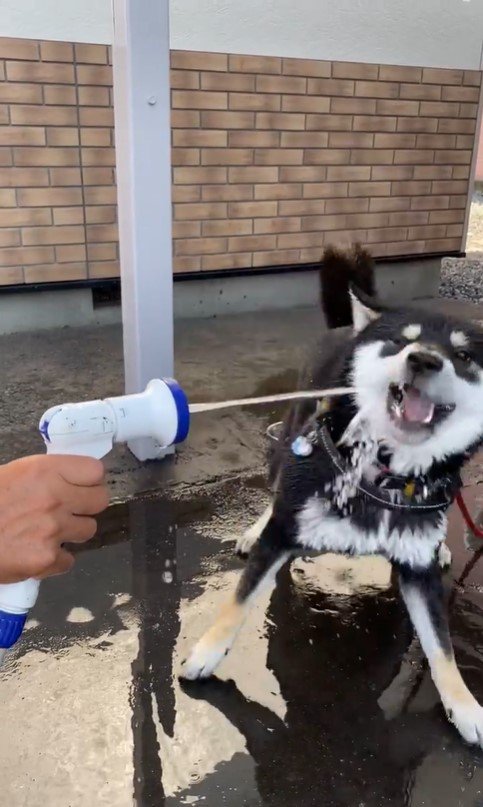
325	700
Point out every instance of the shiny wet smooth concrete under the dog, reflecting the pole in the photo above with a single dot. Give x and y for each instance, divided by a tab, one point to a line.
325	700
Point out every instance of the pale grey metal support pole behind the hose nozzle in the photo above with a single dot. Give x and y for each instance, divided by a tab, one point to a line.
143	159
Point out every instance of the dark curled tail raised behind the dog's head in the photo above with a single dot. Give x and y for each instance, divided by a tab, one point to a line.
339	271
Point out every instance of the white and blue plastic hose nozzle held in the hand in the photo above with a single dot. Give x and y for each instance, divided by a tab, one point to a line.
90	429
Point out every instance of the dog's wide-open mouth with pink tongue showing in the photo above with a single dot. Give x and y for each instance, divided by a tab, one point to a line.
411	409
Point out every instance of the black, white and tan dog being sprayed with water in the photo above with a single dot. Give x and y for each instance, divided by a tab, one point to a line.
373	472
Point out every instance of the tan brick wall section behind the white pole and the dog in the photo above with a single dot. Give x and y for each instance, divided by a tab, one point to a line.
272	158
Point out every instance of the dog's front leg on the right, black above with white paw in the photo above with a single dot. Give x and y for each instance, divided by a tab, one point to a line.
422	591
